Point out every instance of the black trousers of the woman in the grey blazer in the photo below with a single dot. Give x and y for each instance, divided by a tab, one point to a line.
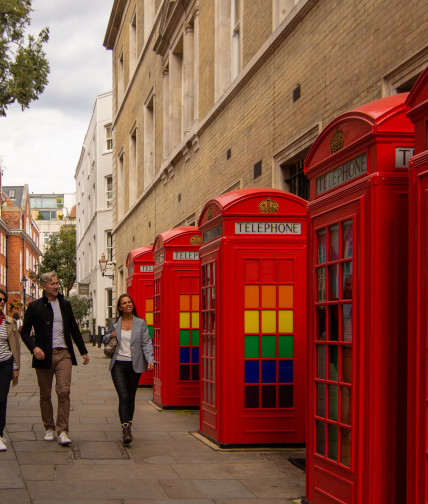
125	381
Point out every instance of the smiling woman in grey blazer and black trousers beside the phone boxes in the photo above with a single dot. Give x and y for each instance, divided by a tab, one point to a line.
132	356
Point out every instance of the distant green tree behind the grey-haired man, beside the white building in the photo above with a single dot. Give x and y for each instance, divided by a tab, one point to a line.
60	255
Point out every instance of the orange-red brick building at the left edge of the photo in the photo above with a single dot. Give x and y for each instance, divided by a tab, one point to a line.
19	247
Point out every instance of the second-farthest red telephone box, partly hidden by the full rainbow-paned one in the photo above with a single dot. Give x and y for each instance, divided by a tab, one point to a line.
176	318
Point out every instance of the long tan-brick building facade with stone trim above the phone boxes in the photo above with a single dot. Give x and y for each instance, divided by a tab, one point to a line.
210	96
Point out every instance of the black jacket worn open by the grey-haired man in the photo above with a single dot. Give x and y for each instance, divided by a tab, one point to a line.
39	315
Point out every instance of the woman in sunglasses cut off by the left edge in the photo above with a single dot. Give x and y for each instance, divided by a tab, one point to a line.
9	361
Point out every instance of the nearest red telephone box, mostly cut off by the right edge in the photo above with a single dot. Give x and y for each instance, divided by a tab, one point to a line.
417	432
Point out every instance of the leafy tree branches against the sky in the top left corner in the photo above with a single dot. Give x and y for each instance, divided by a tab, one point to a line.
24	68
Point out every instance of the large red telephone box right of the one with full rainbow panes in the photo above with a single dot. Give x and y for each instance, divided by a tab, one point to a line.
358	171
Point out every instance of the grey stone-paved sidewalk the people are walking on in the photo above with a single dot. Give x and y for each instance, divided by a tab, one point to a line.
166	464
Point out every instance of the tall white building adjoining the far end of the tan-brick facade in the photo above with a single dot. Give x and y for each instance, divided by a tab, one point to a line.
94	200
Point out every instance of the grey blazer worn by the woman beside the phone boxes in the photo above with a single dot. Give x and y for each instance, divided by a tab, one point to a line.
141	344
